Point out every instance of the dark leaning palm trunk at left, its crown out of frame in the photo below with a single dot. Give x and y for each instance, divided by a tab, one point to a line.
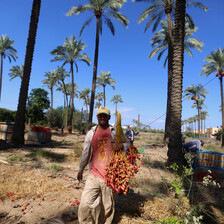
18	130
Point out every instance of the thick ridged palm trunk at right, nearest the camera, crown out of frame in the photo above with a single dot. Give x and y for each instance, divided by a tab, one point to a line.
175	142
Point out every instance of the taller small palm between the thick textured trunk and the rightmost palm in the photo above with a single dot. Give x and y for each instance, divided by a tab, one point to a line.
195	93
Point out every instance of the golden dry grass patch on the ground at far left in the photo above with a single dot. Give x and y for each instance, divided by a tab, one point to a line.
25	182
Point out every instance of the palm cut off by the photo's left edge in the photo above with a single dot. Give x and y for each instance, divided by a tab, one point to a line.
6	50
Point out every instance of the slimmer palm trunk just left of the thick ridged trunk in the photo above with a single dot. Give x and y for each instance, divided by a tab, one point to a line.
170	72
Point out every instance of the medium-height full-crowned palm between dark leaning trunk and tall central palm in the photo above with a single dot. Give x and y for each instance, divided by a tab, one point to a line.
70	53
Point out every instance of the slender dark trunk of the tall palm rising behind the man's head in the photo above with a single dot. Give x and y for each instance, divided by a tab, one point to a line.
94	73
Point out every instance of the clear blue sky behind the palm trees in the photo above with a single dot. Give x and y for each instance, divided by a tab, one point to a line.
141	82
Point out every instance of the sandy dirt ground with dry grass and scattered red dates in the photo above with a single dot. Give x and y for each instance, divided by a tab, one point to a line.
31	192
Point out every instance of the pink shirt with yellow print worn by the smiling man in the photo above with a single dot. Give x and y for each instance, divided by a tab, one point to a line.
102	149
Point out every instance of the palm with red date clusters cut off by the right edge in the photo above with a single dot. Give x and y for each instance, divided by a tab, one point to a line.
215	63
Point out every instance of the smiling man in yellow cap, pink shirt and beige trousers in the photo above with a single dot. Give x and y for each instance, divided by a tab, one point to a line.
97	201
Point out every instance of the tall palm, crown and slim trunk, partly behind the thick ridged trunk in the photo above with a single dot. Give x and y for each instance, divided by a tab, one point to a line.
156	11
